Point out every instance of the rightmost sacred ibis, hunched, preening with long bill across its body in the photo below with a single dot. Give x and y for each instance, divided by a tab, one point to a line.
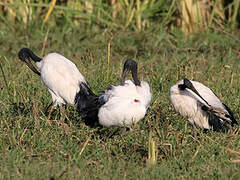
199	103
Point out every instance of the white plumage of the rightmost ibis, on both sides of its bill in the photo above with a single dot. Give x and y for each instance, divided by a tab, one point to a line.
187	103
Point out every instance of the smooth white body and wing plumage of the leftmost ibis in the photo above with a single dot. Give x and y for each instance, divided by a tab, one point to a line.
61	76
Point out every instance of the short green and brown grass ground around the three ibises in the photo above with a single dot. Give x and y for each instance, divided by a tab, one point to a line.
34	146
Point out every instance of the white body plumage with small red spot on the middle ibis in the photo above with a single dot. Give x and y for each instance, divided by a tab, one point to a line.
124	105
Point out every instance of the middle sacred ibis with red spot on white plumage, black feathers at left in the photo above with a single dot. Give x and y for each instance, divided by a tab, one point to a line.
120	105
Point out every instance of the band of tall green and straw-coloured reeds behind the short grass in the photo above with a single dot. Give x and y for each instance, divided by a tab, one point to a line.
116	15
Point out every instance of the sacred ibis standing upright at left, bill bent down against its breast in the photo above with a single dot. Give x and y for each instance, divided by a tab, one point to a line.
60	75
